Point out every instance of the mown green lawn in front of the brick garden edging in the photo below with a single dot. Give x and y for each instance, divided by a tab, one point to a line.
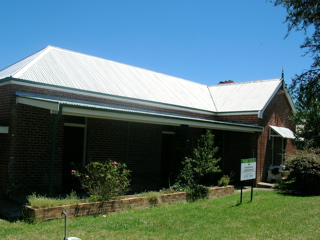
269	216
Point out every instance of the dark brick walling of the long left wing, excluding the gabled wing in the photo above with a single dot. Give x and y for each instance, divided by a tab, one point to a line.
26	159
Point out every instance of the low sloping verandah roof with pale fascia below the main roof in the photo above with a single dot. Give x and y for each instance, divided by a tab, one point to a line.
98	110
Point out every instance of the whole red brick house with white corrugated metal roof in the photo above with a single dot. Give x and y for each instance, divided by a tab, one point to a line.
60	109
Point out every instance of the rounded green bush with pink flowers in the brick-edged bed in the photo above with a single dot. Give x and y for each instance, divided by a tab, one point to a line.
104	180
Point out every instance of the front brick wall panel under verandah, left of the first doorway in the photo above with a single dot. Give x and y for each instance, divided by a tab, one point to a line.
30	149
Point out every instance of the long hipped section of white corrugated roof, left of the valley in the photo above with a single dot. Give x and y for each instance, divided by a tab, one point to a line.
79	71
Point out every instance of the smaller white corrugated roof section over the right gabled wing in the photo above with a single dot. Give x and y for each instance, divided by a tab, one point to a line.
244	96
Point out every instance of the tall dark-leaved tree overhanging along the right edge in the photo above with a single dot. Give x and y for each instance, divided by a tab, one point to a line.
304	15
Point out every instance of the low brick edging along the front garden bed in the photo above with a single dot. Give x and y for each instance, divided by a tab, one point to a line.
84	209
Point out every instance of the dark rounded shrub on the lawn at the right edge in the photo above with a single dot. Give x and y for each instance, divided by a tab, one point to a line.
304	175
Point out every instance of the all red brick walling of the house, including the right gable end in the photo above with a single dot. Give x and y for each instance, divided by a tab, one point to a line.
26	158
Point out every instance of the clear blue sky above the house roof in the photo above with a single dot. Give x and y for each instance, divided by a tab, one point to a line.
204	41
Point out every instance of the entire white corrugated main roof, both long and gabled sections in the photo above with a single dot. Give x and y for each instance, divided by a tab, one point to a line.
56	66
